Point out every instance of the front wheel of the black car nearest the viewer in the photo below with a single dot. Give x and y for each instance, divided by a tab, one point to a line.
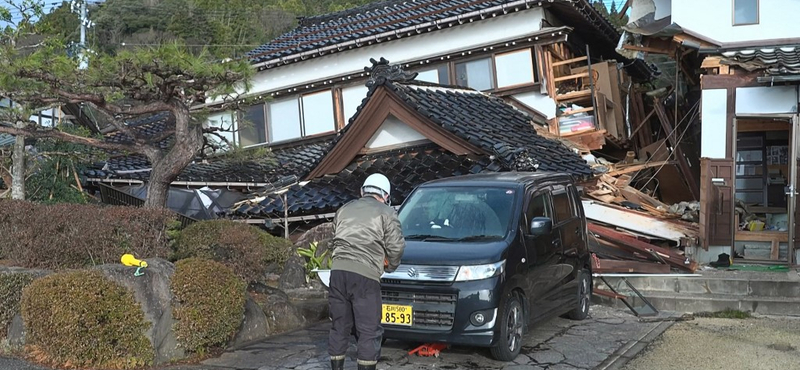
512	324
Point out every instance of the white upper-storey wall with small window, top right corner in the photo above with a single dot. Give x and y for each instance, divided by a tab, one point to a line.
714	19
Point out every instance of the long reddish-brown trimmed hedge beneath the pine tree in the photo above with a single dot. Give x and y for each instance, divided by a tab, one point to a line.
72	236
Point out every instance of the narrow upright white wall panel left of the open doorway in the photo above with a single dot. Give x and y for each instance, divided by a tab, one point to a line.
714	120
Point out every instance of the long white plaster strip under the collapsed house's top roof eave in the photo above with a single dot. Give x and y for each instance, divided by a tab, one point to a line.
439	42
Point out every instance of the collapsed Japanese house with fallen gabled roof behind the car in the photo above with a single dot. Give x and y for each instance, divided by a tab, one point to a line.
474	87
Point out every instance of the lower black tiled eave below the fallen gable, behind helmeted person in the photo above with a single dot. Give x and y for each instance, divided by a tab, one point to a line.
406	168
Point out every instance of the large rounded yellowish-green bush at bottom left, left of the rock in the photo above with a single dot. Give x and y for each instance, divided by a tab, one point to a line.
82	319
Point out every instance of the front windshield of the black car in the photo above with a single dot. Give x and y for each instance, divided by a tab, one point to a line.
457	214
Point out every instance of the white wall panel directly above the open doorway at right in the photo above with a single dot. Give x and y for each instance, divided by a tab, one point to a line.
766	100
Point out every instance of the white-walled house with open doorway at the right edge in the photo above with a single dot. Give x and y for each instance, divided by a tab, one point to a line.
746	69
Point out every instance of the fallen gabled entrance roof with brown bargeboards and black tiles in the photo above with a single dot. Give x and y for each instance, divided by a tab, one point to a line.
465	131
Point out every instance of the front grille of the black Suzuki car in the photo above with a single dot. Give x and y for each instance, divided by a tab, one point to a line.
435	311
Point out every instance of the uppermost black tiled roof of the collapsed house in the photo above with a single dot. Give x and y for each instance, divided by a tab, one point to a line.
383	19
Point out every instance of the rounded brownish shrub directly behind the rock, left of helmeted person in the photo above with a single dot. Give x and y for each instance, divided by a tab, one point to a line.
244	248
